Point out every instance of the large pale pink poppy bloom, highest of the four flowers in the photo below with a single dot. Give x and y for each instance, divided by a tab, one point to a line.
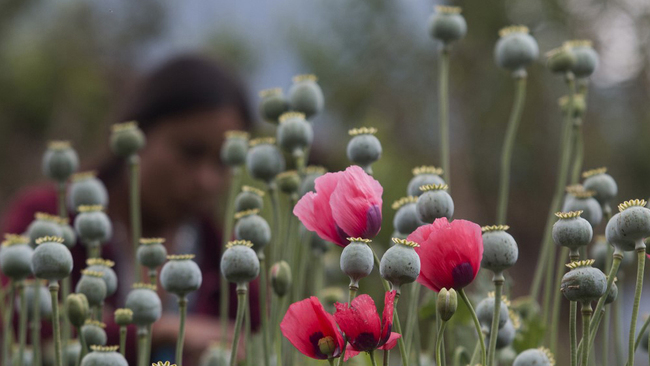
346	204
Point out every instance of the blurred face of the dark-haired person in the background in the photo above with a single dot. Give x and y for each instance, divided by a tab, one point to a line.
181	168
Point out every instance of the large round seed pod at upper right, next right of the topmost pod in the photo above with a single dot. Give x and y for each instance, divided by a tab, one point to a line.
515	49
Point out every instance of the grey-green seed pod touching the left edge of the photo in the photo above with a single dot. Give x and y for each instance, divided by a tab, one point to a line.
16	257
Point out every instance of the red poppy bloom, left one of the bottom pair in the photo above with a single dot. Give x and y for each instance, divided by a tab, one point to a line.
311	329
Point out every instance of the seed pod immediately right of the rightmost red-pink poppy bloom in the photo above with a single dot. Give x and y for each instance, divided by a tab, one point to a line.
500	250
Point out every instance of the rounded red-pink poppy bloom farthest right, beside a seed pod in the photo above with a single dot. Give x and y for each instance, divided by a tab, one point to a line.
450	253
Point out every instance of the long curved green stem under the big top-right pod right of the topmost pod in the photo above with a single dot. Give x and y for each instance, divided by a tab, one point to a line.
506	154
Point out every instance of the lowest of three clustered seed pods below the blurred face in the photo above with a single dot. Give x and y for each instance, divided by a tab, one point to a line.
144	303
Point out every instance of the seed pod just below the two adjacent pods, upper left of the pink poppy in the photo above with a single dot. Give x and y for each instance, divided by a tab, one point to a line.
294	134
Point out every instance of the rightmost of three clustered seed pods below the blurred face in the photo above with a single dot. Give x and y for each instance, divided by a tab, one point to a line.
181	275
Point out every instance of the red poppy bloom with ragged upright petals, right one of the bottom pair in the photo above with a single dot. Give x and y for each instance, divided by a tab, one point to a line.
361	324
